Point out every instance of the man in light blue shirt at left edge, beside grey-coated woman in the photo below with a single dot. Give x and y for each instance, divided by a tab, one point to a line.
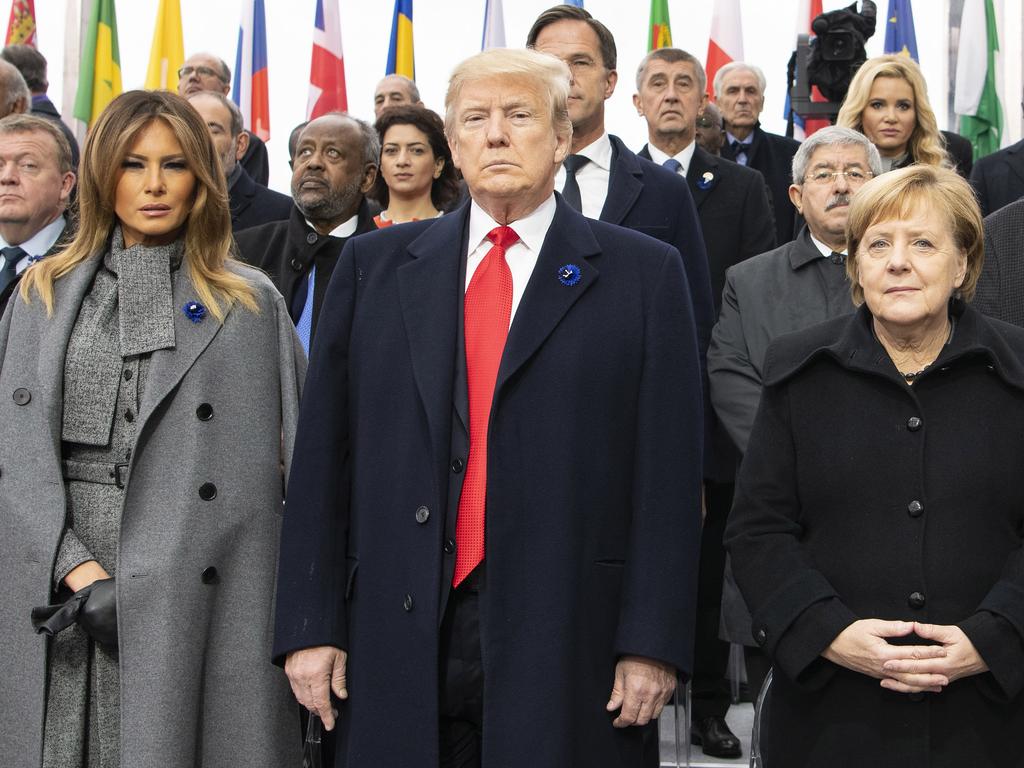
36	180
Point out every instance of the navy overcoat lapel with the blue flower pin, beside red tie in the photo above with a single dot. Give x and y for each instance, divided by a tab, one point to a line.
570	241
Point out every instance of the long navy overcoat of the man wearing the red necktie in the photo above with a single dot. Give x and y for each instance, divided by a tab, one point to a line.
593	490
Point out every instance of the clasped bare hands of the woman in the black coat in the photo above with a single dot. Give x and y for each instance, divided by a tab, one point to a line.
864	648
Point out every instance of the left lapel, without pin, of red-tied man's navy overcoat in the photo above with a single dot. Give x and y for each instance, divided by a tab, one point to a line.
430	295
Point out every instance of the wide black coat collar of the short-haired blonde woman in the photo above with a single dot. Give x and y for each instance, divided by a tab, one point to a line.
851	344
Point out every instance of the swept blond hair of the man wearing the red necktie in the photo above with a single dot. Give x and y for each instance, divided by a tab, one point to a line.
550	75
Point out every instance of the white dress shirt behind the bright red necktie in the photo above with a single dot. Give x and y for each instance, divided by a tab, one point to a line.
522	258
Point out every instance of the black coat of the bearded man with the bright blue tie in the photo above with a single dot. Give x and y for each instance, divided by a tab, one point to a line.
286	251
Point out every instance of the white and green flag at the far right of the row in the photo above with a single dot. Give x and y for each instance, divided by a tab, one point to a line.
977	100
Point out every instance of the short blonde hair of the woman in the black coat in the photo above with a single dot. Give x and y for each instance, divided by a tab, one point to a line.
899	195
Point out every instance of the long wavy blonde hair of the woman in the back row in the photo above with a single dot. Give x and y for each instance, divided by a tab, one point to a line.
926	145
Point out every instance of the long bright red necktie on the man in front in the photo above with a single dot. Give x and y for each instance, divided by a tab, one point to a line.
488	310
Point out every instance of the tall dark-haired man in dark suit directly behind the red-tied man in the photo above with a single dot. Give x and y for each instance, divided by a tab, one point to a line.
609	182
